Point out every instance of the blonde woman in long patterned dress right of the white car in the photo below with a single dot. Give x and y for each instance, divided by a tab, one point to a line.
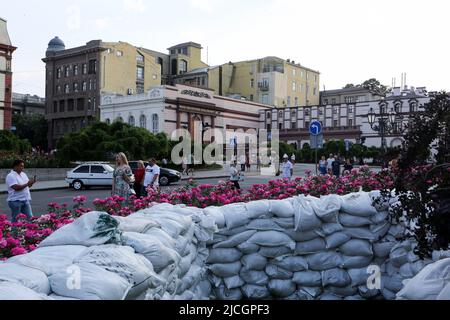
123	178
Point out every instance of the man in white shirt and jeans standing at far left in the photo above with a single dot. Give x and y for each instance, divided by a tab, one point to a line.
19	196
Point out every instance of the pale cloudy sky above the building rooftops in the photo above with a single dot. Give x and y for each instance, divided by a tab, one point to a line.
348	41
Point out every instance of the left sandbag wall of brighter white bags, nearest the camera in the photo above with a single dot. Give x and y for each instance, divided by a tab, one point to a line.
157	253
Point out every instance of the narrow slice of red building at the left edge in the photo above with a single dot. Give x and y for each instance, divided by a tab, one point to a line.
6	51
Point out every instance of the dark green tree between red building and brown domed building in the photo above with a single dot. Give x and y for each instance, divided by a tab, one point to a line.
32	128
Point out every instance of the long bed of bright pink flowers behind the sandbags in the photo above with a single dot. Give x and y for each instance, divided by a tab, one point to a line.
23	236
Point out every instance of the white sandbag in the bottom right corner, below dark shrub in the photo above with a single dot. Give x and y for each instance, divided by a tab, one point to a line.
429	283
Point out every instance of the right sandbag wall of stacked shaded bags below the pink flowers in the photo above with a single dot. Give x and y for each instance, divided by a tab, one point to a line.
309	248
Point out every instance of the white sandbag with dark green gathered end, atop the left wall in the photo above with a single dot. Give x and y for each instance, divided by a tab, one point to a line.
91	229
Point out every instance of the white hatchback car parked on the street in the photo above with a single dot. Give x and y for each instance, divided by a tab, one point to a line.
90	175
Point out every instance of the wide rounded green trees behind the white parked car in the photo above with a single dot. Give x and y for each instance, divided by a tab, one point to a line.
100	141
